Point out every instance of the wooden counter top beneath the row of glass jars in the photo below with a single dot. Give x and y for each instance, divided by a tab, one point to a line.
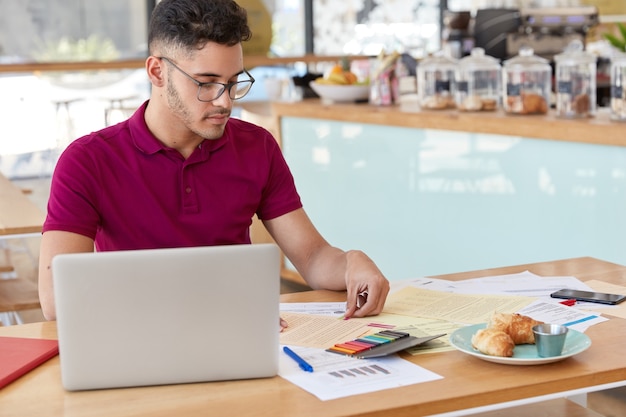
596	130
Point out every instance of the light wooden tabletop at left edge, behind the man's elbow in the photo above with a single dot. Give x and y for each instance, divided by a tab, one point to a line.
18	214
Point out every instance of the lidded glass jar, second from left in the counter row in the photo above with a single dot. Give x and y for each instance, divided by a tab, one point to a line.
478	82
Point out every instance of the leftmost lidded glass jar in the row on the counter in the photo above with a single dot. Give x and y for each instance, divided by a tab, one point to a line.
435	78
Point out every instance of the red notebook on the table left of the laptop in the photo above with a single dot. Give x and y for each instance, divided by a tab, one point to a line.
20	355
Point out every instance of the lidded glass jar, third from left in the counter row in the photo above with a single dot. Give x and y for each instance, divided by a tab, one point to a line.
527	81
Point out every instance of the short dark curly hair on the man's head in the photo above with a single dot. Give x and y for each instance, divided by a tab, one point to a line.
189	24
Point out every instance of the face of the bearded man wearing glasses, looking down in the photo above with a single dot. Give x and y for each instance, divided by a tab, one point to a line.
213	63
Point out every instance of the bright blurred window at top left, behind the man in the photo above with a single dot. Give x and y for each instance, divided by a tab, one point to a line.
72	30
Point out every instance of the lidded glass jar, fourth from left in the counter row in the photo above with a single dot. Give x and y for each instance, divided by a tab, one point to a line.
575	82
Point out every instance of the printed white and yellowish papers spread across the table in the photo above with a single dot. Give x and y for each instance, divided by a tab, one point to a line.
422	307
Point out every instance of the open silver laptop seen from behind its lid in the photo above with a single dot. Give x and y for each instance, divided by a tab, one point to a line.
167	316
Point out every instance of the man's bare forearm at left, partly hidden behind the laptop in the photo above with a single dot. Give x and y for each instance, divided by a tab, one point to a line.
53	243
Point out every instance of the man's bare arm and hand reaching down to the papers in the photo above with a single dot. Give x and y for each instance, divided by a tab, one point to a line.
326	267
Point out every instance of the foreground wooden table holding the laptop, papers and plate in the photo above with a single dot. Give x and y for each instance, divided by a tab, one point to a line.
468	382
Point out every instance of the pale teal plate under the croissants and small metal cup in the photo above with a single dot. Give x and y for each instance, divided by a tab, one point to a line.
575	343
